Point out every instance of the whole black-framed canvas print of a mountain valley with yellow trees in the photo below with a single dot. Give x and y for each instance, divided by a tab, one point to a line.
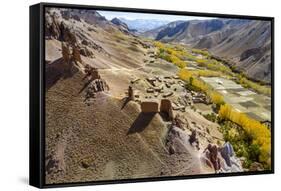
127	95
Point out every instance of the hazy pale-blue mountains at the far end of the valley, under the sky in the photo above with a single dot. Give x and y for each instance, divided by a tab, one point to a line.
142	25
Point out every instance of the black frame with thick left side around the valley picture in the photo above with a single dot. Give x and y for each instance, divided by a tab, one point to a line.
37	95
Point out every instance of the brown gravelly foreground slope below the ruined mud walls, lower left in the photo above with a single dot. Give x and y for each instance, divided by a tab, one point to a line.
116	143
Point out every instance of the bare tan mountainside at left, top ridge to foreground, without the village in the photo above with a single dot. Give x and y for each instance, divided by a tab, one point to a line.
92	131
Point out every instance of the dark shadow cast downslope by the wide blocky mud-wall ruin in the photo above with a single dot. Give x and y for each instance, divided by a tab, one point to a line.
141	122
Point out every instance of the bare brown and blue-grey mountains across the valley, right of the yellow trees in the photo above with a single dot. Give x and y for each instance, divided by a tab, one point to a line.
245	43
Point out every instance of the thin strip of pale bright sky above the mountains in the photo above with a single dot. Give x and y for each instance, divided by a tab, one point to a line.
132	16
